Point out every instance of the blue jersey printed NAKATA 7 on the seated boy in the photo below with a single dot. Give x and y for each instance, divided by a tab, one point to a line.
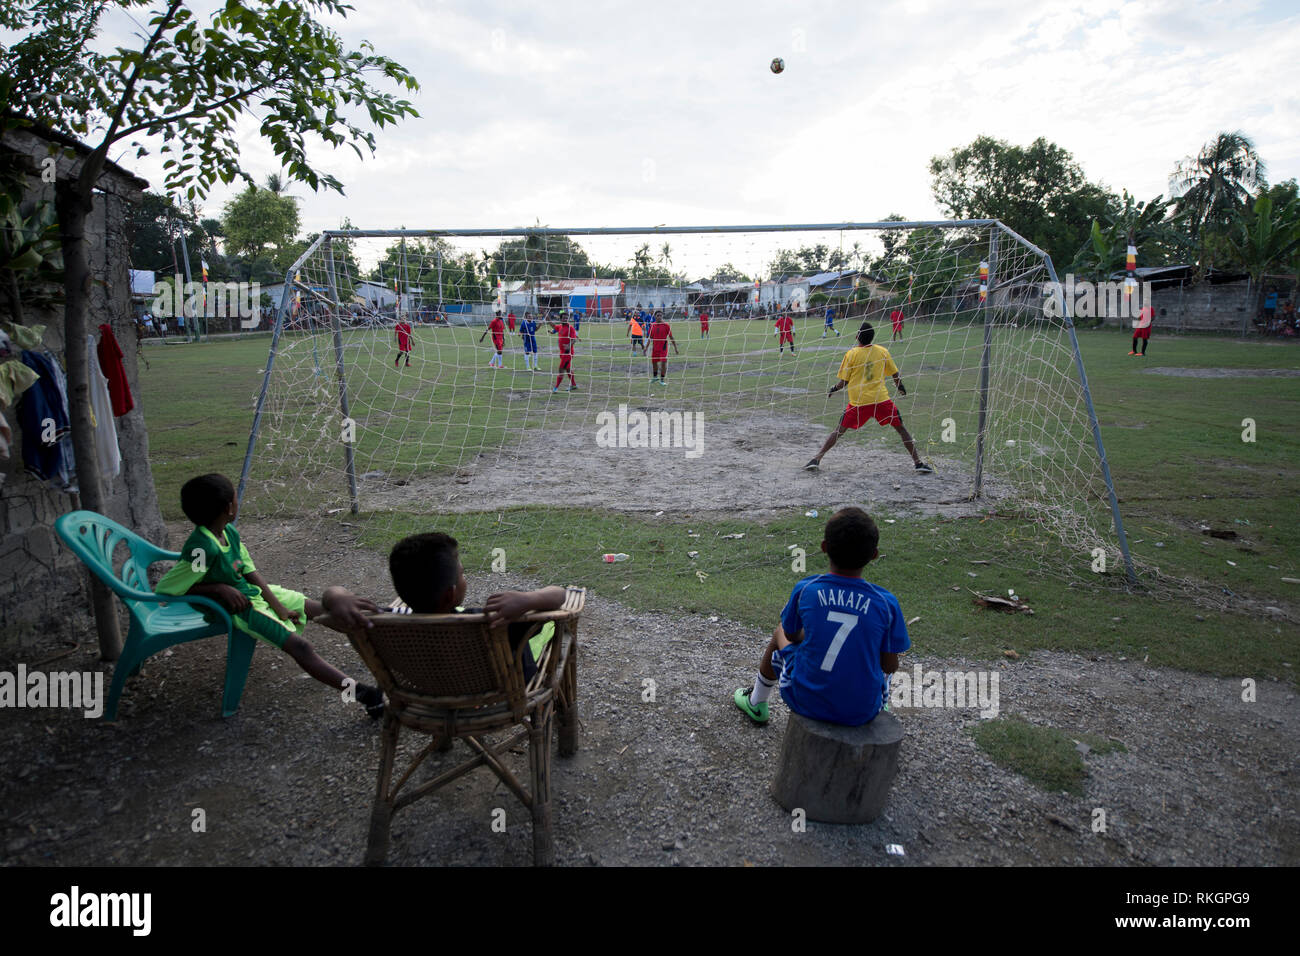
835	673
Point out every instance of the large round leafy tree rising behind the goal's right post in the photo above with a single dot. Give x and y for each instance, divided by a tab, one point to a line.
1038	191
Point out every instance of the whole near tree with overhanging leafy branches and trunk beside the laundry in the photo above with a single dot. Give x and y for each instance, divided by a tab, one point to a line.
183	90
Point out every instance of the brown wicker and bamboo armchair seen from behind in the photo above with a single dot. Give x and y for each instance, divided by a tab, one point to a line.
452	676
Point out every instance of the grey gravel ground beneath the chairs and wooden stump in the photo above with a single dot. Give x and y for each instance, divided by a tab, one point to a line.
1206	780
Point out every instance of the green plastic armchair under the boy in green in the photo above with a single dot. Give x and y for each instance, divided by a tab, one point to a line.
158	621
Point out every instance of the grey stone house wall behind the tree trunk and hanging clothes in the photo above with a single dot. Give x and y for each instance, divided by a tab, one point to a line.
42	586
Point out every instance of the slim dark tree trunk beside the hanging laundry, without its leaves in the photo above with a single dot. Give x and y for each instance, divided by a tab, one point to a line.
73	211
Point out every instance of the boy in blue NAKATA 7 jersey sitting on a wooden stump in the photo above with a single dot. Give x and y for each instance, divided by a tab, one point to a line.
839	639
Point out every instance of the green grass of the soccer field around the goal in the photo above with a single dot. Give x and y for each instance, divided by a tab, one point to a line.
1176	447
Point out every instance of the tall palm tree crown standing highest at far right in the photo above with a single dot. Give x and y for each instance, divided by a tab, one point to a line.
1217	183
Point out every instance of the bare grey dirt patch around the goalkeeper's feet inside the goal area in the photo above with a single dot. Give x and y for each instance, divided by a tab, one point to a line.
714	471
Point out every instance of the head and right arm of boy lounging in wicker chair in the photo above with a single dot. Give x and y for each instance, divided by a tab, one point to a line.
430	578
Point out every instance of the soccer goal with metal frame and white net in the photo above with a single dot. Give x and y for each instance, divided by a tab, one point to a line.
574	390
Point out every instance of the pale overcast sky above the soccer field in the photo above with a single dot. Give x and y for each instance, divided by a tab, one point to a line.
644	114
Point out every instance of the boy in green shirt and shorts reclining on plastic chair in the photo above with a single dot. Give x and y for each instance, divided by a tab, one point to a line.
216	565
